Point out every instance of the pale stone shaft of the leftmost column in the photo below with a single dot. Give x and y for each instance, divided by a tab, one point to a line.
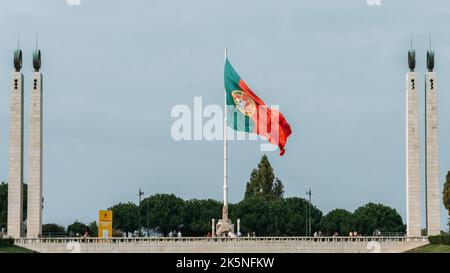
15	159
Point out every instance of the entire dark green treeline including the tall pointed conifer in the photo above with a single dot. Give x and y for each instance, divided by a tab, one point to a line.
264	210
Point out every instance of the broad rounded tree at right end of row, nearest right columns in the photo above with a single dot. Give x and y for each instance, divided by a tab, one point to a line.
371	217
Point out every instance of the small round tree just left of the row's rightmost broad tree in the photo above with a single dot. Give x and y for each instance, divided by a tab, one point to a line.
338	220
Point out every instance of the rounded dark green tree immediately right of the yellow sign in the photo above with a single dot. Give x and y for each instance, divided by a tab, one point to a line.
125	216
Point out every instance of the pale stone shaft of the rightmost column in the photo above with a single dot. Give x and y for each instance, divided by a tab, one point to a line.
433	194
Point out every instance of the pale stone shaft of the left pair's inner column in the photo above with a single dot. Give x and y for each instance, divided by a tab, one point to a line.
35	158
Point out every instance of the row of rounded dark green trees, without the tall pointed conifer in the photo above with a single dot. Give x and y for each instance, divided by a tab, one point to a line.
282	217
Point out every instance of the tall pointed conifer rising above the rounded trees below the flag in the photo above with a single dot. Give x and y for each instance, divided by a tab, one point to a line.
263	182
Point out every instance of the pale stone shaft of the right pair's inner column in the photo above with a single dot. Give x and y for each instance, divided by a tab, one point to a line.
413	213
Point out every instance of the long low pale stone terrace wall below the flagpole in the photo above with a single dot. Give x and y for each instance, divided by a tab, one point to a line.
224	245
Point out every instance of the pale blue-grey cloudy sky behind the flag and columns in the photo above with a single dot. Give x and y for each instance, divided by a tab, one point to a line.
113	70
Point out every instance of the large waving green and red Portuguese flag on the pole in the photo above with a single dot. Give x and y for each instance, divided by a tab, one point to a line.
247	112
